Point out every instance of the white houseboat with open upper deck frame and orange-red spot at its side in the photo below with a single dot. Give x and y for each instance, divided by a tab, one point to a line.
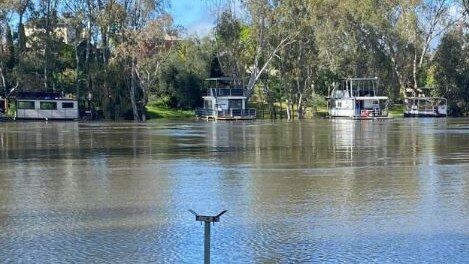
357	98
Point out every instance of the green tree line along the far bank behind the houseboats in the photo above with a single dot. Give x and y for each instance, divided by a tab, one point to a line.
125	54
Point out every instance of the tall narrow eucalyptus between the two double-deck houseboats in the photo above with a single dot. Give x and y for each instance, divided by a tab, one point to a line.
296	63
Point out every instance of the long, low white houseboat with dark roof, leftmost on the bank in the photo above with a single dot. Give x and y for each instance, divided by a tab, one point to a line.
45	106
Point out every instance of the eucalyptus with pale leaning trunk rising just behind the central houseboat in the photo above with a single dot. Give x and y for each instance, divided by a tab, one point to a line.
247	45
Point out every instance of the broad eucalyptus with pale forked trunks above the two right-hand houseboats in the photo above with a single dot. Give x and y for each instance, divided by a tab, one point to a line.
380	38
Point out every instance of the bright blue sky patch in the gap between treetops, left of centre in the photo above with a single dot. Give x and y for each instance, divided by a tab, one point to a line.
194	15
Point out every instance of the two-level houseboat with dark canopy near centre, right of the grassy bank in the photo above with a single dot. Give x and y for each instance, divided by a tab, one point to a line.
225	101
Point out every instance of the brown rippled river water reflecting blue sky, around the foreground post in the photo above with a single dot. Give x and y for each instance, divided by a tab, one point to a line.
315	191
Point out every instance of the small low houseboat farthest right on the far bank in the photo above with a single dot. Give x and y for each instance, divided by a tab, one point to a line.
418	103
